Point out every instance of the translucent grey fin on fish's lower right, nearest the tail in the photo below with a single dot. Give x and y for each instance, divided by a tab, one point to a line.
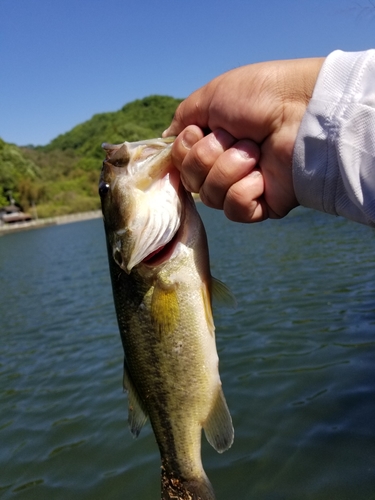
218	427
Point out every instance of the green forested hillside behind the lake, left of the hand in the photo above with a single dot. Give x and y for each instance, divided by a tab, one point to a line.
62	177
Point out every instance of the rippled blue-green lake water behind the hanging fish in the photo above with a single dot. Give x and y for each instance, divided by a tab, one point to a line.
297	361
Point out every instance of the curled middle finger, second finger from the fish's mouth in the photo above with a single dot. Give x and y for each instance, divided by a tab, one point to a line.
201	157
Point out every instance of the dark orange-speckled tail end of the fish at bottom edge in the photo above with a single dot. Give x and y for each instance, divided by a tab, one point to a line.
177	488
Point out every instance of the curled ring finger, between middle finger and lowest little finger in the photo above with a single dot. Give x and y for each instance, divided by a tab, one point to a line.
230	167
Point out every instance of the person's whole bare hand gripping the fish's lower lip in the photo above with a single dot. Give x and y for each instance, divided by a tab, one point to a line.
244	165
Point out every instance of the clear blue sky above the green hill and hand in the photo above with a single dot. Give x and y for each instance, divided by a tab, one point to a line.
64	60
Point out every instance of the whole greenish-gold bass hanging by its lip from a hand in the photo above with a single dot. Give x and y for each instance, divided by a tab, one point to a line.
162	289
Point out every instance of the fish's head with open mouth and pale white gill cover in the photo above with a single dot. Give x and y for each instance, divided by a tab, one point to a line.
139	191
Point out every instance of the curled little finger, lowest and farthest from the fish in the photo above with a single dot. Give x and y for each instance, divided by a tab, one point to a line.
244	200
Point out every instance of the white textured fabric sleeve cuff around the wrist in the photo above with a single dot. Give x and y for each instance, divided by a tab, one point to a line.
334	153
